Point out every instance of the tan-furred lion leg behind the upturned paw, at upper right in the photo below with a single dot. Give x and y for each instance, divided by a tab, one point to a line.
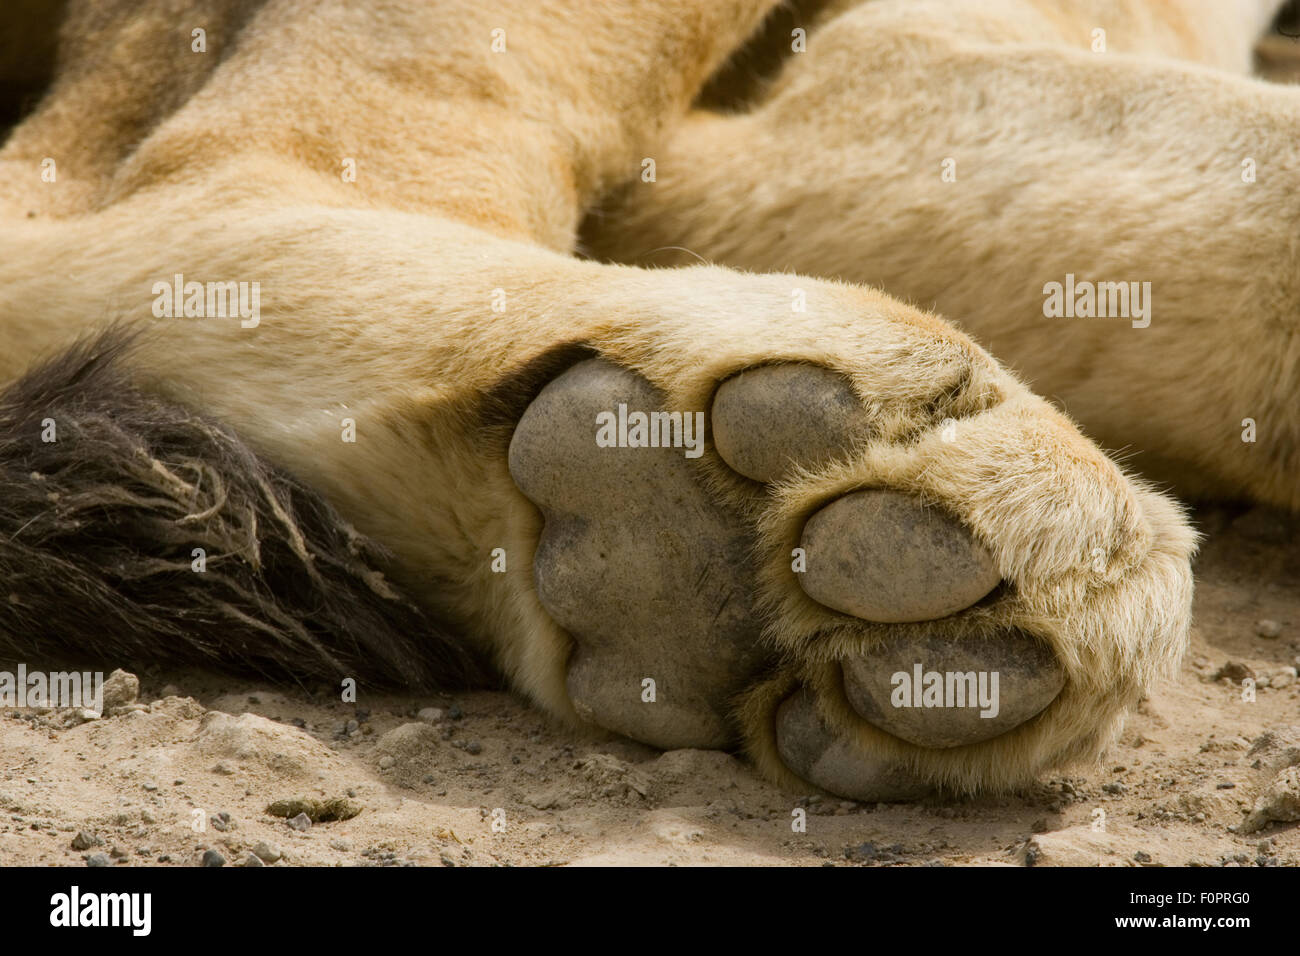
1113	167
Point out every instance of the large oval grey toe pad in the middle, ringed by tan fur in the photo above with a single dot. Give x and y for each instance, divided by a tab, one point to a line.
882	556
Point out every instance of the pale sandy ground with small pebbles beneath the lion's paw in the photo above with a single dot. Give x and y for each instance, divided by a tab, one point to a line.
489	782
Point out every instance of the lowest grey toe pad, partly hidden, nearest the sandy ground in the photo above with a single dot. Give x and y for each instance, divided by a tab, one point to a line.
831	764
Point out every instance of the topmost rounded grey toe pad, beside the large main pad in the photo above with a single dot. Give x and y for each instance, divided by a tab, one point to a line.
769	419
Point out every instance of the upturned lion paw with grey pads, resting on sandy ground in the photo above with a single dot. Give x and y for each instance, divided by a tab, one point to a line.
777	572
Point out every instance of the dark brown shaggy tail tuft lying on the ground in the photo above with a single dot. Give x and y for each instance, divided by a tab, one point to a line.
99	530
